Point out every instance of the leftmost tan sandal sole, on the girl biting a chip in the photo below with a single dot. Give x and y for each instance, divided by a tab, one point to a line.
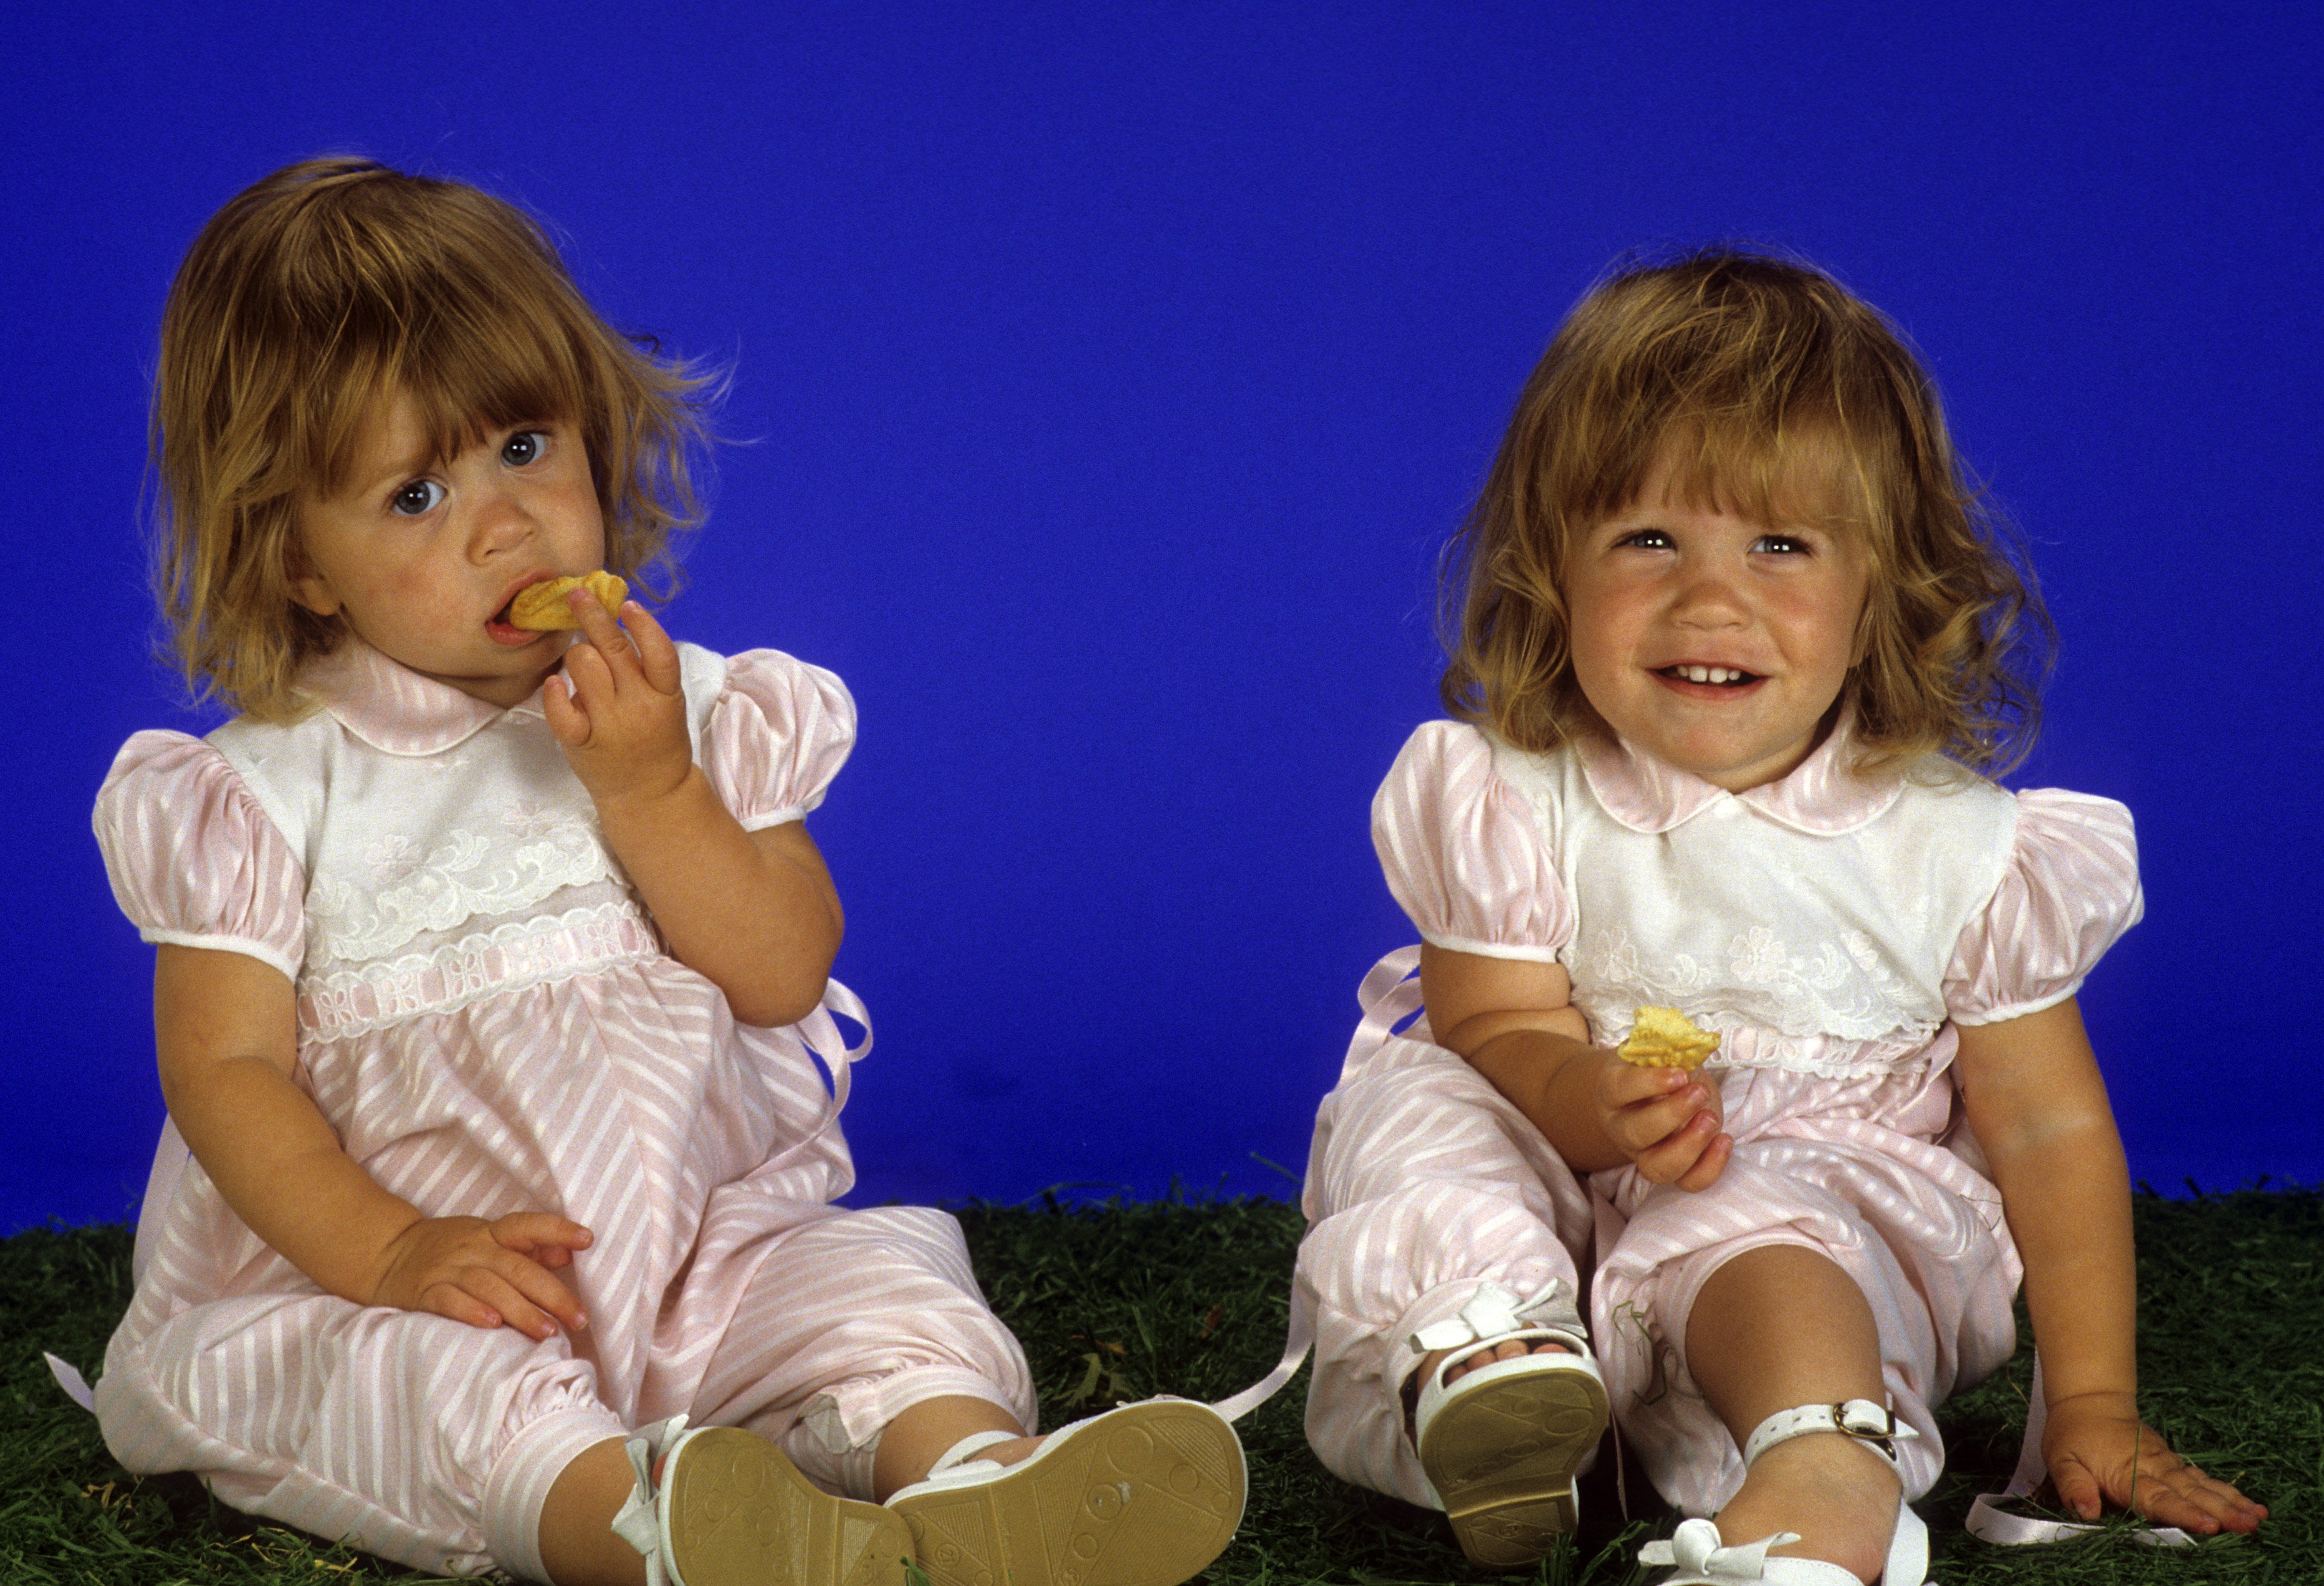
743	1515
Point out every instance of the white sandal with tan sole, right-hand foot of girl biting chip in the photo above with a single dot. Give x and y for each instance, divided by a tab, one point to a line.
1140	1496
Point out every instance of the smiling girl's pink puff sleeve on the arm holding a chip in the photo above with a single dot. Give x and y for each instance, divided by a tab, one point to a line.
1463	855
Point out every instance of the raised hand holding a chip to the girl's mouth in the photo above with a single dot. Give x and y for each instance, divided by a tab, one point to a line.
622	720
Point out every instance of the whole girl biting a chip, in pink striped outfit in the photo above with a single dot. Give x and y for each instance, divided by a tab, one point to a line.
492	980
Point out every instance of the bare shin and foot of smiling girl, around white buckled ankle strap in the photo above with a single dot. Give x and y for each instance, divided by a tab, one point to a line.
1774	1329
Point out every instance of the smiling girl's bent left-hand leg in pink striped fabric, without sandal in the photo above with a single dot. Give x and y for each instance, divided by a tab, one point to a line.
1423	1185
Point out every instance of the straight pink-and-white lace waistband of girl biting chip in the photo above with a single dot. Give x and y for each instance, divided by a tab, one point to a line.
461	973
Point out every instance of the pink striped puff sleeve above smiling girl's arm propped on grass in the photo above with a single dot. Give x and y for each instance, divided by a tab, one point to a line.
2067	892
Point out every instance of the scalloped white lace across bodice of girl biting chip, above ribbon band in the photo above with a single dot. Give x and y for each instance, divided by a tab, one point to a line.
471	873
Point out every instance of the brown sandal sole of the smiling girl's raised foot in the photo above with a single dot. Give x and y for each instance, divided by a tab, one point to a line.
1505	1462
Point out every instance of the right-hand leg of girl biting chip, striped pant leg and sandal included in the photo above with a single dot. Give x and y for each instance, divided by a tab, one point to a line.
901	1362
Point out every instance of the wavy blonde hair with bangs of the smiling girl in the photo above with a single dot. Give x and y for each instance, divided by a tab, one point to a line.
1767	390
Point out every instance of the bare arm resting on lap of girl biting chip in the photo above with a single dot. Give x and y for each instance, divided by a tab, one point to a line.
224	1034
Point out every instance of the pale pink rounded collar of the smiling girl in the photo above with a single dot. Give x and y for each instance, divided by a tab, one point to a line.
1821	796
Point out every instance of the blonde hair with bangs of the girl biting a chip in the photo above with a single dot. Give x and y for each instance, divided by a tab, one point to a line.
306	301
